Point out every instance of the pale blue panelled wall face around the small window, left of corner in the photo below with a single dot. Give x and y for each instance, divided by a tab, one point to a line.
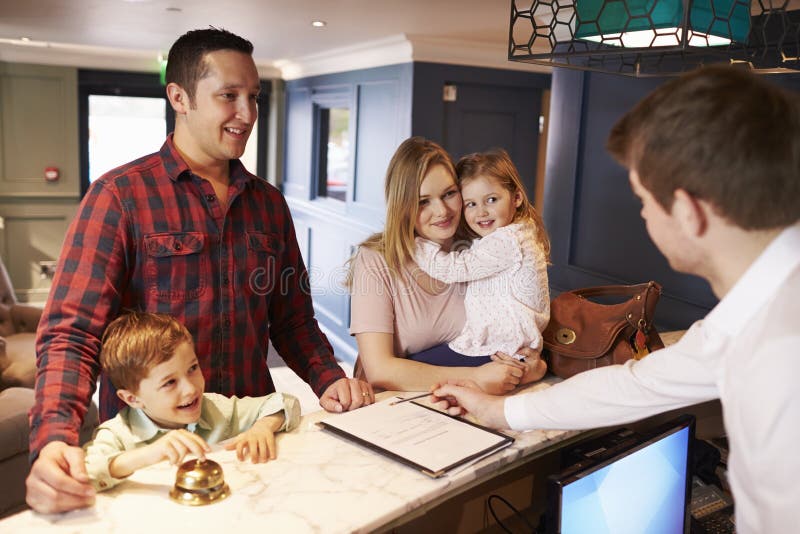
328	230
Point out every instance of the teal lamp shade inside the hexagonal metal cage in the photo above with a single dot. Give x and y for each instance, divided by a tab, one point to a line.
653	23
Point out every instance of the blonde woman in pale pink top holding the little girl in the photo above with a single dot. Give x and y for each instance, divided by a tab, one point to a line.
398	310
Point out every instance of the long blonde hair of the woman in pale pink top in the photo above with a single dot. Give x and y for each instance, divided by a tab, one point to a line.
407	168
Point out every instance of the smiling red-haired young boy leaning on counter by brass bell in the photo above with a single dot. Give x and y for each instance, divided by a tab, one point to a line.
150	359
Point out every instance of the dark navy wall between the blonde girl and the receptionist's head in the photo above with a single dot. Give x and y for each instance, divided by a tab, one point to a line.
597	234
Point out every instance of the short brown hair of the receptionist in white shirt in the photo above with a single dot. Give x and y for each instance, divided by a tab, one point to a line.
724	135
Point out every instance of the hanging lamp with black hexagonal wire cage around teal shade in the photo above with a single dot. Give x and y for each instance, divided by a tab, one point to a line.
654	37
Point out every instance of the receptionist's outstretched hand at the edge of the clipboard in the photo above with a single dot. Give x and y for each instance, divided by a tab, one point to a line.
458	397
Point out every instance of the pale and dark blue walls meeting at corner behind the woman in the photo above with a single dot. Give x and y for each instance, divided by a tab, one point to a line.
388	104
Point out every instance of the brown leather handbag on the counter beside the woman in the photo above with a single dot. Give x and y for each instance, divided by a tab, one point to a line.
583	334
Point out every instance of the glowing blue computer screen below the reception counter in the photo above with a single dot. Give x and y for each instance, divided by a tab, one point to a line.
643	492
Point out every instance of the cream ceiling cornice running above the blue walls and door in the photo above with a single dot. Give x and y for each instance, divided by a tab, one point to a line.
402	48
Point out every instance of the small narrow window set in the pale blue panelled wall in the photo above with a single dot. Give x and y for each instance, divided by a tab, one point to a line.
333	151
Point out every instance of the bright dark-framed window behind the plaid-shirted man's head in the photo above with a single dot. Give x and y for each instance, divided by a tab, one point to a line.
125	115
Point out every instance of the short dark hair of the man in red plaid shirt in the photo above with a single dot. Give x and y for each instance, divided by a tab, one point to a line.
186	63
